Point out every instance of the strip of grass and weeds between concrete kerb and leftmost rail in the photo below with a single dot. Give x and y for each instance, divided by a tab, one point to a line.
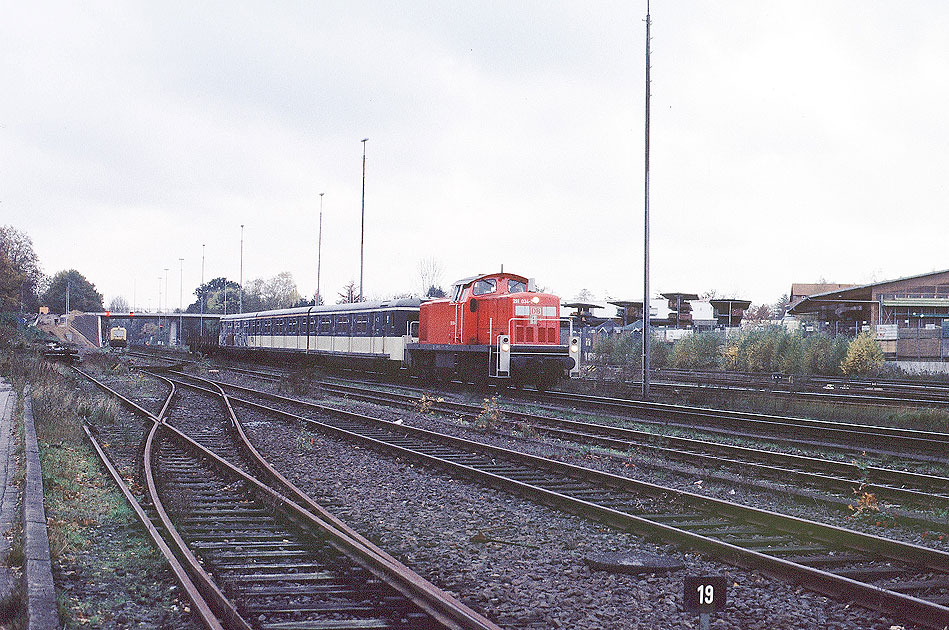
106	572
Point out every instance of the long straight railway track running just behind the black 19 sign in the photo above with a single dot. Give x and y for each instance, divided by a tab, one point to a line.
905	580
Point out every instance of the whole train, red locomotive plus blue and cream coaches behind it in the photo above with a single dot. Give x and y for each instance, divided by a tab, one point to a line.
492	327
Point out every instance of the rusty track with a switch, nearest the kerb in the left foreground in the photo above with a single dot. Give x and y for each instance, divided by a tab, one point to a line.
255	558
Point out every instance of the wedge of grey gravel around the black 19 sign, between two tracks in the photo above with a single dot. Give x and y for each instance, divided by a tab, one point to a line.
535	576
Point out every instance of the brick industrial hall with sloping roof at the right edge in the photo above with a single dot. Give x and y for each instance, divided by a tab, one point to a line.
909	316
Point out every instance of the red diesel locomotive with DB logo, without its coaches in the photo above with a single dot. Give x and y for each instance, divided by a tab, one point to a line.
495	325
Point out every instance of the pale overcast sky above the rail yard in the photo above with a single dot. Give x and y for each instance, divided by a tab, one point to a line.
790	141
